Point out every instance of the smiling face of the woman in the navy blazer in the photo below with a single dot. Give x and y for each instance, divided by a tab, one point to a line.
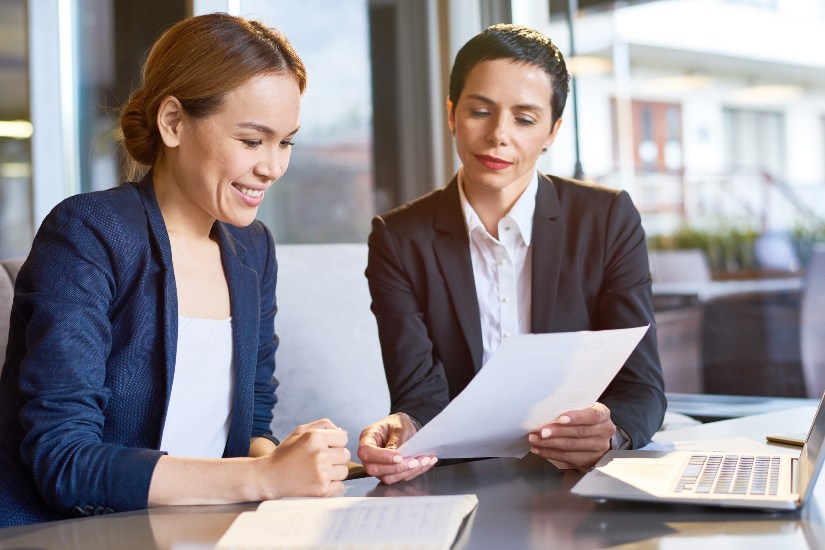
220	167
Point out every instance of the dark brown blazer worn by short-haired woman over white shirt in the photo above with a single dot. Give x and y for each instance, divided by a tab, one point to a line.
590	272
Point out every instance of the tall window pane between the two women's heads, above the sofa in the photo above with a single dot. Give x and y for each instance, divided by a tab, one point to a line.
327	193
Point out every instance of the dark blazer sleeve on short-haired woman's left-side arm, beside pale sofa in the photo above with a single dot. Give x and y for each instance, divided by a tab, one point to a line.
416	379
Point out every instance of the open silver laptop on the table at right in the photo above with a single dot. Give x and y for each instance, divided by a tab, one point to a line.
770	481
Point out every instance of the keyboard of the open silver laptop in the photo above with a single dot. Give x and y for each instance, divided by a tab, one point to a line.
730	474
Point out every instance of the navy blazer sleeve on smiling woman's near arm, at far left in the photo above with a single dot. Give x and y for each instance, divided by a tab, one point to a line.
65	292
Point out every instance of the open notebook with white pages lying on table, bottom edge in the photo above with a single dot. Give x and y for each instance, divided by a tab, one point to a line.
425	523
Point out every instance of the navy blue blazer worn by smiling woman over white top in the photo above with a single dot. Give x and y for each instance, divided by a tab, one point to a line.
91	354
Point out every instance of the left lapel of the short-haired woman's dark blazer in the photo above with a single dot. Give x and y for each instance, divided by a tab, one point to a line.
452	251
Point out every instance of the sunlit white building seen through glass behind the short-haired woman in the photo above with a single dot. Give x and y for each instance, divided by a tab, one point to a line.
690	118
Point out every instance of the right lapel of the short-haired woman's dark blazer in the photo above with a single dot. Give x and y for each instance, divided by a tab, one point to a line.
547	244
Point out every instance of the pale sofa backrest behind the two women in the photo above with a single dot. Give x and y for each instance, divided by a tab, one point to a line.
328	362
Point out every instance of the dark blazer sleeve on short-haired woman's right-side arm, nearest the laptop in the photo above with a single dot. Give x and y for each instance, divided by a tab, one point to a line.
636	396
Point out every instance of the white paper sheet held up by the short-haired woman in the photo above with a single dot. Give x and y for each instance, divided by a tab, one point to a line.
527	383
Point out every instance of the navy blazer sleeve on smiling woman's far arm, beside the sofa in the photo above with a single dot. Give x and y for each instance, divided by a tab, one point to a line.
265	381
